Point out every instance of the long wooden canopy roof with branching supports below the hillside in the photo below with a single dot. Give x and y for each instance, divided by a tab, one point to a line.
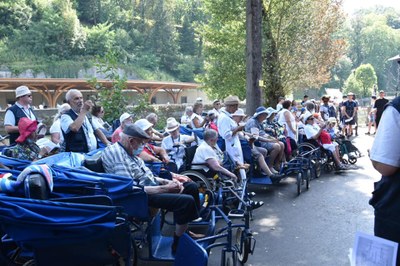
52	89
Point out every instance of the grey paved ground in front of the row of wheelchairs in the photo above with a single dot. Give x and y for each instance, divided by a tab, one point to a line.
317	227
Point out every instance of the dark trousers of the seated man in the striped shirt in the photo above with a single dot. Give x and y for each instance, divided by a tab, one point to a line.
185	206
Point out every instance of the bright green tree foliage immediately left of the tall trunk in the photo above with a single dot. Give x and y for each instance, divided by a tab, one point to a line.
224	45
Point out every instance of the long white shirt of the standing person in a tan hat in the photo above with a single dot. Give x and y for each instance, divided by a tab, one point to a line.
226	125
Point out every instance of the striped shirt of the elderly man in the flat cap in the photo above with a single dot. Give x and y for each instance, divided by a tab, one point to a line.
117	161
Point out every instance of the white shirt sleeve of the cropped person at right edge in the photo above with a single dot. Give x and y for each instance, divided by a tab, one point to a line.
386	146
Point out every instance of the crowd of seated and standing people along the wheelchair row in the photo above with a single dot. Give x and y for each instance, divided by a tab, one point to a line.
272	134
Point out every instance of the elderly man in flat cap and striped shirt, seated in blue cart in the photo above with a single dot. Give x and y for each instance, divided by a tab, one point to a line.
182	199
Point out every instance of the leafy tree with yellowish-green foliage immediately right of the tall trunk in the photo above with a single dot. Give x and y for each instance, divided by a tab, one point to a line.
300	44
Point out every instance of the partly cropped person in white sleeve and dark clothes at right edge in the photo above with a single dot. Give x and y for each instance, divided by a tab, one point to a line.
385	157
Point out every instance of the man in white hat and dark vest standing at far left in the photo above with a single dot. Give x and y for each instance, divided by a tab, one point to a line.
21	108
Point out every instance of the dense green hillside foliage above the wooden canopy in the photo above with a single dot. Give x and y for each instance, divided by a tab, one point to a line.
150	36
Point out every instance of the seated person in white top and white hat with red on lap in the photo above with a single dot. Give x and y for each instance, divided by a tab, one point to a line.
319	135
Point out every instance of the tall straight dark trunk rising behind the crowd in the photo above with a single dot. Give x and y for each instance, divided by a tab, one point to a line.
253	55
